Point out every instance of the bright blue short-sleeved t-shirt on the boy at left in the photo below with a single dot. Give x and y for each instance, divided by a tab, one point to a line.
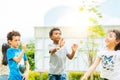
13	65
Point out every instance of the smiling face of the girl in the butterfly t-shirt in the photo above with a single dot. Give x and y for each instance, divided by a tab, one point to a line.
110	39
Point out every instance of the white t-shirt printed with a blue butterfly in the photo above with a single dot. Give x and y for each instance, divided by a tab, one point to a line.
110	62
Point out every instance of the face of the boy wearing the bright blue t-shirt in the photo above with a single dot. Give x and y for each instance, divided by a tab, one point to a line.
15	42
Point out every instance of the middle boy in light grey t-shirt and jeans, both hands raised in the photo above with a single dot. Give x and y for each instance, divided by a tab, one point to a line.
58	54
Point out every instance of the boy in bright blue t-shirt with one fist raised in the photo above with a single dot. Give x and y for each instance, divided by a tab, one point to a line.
16	57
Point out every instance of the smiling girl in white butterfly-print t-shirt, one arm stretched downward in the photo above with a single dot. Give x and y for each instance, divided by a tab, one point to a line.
109	57
